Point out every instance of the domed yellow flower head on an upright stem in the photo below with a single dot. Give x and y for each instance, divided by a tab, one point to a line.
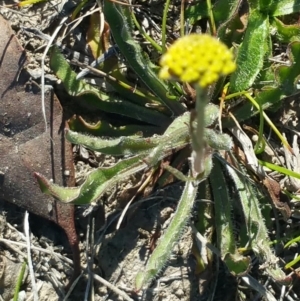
197	58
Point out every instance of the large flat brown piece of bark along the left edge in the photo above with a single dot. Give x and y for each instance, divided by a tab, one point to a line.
25	146
